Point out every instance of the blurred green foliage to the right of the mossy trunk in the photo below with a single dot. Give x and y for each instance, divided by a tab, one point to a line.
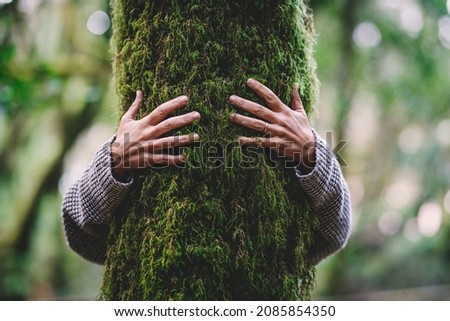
404	82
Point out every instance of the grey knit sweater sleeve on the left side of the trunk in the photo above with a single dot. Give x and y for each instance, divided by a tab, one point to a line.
89	204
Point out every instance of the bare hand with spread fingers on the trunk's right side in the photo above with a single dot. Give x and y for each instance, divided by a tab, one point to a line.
288	129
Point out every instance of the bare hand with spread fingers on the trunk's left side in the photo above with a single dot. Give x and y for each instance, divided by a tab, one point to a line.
140	143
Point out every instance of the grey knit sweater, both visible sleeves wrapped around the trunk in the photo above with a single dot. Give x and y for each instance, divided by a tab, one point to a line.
90	203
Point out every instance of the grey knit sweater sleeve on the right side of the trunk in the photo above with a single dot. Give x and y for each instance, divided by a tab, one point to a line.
329	198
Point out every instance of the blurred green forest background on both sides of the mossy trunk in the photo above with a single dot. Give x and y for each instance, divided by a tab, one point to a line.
384	67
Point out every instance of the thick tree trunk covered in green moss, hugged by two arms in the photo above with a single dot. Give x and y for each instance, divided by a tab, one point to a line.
232	224
